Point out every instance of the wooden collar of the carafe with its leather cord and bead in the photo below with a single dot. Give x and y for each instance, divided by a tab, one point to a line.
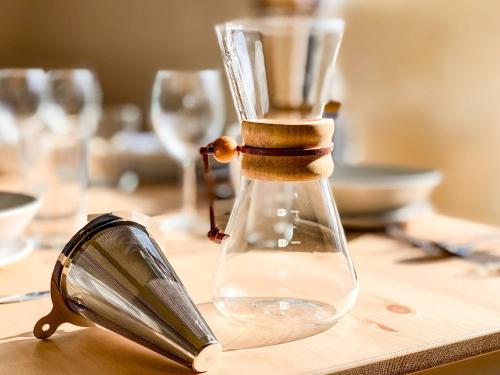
274	150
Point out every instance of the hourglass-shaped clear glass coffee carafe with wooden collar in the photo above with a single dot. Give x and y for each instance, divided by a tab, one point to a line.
284	260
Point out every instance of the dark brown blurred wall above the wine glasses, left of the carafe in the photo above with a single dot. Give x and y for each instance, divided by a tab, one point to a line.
124	41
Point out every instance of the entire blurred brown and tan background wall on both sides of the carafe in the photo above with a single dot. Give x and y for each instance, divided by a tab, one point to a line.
420	78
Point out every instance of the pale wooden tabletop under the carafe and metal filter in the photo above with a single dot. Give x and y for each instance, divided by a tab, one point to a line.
413	312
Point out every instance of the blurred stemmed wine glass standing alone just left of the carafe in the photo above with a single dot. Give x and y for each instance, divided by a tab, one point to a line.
187	112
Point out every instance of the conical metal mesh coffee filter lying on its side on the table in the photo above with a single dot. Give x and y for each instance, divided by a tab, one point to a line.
113	273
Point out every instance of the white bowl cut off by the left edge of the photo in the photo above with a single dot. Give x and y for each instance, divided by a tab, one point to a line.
16	211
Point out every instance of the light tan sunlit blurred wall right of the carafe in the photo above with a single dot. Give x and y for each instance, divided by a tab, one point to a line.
423	89
